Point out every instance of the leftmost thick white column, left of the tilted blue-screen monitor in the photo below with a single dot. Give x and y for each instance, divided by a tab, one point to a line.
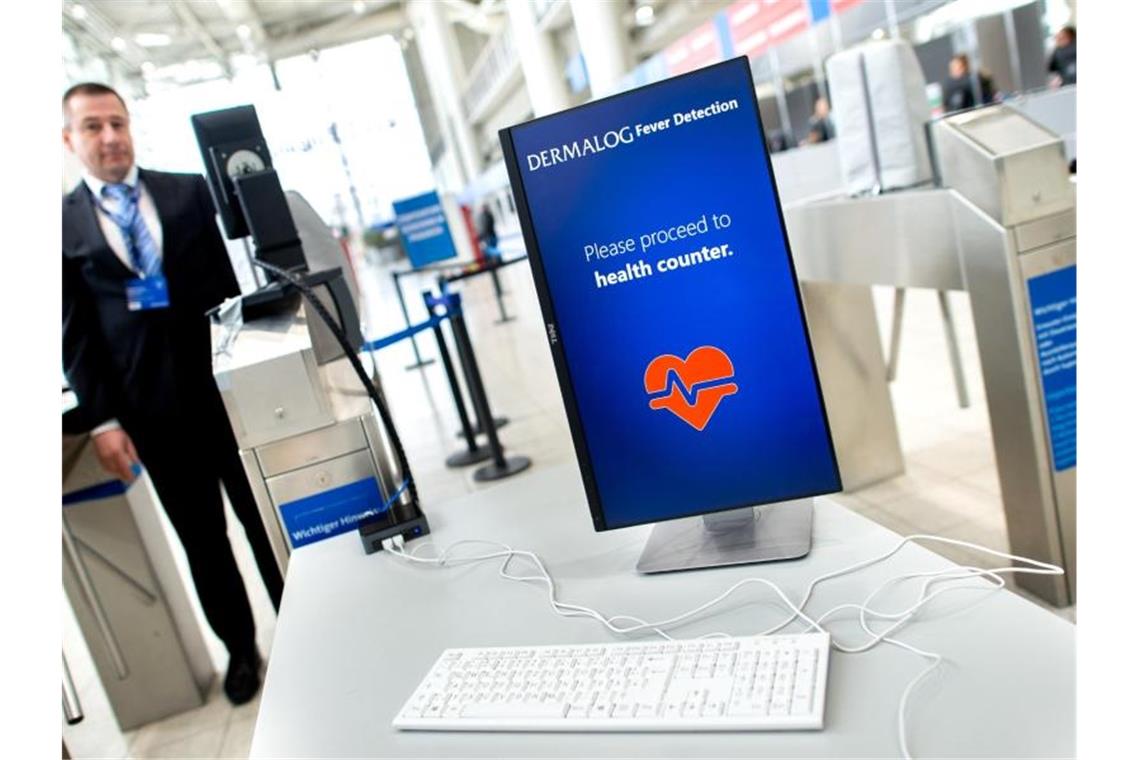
444	72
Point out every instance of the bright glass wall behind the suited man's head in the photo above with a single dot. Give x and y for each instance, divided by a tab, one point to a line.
343	129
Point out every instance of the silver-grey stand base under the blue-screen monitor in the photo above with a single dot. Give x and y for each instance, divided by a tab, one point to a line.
738	537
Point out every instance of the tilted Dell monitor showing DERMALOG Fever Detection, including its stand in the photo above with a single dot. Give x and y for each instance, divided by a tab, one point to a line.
673	312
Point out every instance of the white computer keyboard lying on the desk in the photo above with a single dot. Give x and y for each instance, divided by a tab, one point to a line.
761	683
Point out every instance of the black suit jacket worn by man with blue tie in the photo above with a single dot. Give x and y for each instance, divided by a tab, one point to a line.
148	369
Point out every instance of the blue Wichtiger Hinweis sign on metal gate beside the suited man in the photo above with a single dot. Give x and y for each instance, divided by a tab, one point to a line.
331	513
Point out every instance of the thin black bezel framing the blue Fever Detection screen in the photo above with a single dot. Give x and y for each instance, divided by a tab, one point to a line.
550	318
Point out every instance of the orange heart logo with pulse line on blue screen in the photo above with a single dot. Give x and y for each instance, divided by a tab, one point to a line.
693	389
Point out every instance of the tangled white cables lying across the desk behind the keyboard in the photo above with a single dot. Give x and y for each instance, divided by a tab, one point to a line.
508	554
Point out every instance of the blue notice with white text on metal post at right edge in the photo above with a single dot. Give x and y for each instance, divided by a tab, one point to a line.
1053	304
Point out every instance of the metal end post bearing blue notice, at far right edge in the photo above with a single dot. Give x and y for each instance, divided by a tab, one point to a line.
1016	220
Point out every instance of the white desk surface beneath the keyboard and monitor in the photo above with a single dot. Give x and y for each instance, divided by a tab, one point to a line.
357	633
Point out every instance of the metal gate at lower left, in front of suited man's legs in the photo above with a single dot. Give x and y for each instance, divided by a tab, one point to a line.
125	587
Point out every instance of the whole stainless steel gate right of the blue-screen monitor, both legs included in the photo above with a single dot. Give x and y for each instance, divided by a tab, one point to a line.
1003	227
